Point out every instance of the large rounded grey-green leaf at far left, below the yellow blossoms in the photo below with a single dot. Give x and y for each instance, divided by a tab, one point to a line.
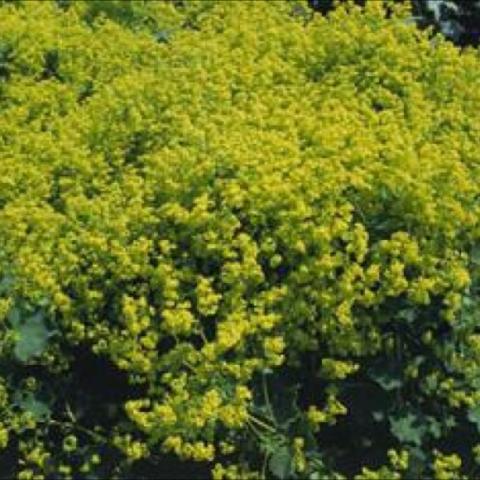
33	337
